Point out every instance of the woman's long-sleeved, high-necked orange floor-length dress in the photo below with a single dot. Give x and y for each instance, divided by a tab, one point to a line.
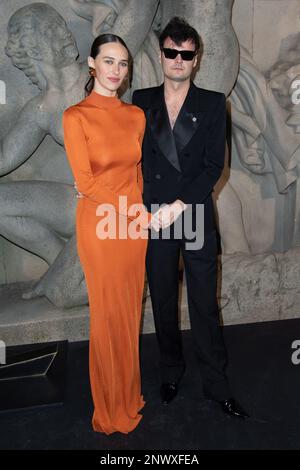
103	143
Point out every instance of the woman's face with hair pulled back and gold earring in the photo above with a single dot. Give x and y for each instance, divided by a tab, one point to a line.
111	66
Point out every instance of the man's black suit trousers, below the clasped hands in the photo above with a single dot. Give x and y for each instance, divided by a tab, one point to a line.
201	279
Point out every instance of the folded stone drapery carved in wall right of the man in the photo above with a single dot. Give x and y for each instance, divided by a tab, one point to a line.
268	146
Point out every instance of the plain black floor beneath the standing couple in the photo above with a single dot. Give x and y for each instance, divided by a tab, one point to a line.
261	374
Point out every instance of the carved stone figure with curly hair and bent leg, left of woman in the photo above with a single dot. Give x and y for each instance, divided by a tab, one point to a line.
41	45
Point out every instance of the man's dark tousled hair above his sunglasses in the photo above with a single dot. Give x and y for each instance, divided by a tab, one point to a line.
179	31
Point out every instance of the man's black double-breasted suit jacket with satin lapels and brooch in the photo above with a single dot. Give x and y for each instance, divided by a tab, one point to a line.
187	162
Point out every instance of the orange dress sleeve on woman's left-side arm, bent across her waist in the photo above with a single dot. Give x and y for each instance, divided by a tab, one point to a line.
87	183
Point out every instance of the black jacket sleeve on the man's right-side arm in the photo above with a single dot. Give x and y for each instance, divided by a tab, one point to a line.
197	189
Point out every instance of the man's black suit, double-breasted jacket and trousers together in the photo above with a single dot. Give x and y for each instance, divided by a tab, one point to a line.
185	164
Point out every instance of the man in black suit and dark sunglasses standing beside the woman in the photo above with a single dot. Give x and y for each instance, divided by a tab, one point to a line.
183	157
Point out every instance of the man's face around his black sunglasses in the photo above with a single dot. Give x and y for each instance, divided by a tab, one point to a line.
178	70
